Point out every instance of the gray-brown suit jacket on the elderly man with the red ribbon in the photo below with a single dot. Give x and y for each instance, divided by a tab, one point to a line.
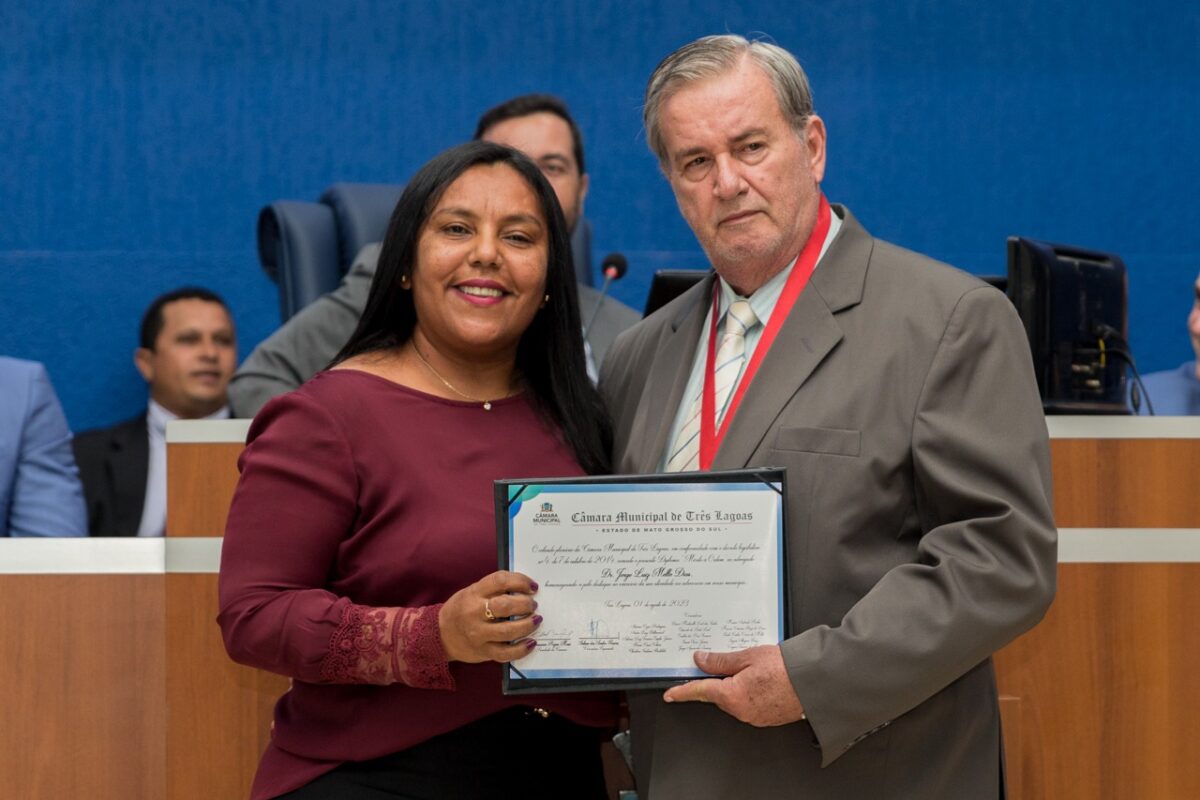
902	401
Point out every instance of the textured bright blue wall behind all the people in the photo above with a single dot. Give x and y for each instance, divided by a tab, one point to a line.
139	141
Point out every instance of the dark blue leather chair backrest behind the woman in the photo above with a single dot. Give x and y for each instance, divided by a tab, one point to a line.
308	248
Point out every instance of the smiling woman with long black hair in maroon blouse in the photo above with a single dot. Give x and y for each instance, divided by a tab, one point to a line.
361	551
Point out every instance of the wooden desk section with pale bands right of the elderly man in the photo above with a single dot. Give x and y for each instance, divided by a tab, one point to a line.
1102	699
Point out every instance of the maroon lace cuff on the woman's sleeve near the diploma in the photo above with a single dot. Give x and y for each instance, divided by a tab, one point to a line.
388	646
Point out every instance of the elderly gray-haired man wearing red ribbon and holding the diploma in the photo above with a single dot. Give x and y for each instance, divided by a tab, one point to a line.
899	395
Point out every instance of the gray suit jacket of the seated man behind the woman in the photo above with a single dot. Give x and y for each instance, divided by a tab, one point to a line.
308	342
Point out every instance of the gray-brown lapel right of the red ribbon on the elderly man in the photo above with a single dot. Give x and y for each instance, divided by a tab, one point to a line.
809	334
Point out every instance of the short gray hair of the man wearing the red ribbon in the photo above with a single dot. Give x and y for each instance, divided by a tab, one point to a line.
713	56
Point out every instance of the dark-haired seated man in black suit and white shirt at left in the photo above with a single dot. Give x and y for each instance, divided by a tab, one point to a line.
188	354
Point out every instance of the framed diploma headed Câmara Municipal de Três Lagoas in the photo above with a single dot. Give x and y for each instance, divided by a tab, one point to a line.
638	573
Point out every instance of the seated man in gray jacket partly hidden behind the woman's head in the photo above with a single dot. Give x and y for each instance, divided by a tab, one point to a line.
538	125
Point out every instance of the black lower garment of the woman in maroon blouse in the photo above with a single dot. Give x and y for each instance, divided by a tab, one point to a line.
515	754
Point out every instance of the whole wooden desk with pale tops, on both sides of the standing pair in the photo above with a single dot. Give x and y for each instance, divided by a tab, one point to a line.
121	688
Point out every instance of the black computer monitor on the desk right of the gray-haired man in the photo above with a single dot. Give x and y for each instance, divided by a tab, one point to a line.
1073	303
